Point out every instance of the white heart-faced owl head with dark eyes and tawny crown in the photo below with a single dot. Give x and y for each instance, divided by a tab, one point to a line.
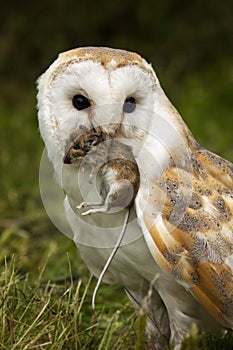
113	90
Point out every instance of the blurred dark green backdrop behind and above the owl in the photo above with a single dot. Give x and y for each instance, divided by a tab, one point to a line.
189	43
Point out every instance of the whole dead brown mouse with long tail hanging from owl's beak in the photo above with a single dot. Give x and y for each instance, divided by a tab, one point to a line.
116	166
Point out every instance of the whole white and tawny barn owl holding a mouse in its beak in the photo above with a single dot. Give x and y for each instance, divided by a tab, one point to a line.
177	251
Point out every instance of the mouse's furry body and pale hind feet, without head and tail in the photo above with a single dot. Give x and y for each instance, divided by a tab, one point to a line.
114	162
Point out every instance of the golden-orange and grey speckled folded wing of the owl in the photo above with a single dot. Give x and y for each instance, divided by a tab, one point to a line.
191	238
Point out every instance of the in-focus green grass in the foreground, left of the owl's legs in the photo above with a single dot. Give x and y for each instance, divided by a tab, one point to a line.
49	315
